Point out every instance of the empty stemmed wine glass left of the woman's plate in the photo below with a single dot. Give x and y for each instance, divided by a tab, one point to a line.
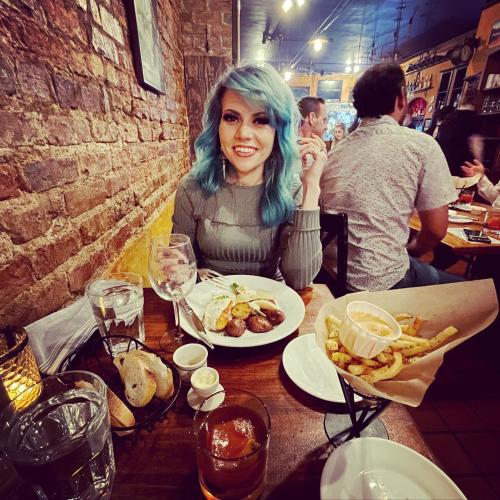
172	273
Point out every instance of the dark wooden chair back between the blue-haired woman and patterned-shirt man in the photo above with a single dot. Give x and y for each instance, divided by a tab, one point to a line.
334	227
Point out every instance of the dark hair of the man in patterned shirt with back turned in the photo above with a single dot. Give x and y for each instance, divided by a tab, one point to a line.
375	92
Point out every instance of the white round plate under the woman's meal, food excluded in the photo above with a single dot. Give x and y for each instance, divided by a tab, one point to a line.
287	299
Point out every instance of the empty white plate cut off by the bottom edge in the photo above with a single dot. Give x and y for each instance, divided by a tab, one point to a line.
374	468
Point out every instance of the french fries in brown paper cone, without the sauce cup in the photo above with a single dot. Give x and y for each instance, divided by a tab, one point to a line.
432	319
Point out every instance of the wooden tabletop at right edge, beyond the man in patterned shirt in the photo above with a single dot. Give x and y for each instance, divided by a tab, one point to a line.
459	246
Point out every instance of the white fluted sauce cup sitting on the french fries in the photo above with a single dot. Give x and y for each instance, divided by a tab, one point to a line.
361	342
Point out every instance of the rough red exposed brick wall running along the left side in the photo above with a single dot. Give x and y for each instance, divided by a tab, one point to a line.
87	157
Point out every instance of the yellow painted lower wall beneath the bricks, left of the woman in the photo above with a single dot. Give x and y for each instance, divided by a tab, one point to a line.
134	257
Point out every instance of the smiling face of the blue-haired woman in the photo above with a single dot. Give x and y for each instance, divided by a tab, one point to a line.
246	137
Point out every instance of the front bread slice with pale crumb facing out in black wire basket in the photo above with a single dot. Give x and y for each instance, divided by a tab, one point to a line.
139	381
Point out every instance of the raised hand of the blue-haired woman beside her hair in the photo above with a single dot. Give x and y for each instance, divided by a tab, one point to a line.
311	176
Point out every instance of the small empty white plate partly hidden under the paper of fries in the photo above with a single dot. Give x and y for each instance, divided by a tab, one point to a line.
307	366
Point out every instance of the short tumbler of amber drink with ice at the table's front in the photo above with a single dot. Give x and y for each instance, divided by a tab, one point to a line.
231	430
